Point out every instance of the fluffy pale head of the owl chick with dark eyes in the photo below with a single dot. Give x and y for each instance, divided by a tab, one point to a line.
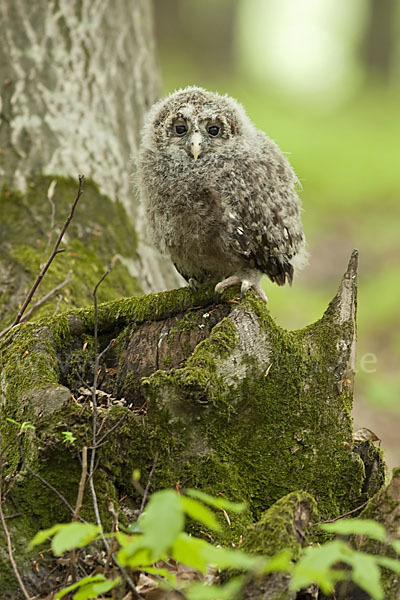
195	123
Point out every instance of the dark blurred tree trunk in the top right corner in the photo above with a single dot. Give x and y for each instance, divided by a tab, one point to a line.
378	46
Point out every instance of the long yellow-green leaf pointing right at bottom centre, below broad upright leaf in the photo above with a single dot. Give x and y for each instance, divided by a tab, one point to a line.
199	554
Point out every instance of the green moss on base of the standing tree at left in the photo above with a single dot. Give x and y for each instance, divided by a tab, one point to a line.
99	234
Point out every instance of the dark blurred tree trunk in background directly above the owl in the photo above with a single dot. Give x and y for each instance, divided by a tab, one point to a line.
206	29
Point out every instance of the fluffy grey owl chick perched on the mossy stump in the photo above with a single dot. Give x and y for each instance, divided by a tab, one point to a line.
219	195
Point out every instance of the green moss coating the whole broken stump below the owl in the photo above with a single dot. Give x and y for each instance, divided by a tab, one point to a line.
247	432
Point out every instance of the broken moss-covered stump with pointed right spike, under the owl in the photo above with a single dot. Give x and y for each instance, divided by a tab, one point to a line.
228	401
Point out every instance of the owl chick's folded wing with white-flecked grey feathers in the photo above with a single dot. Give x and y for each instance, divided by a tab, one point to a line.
263	210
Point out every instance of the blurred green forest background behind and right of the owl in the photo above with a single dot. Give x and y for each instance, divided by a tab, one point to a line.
322	78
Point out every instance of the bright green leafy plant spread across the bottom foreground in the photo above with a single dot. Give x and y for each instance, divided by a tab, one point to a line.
159	535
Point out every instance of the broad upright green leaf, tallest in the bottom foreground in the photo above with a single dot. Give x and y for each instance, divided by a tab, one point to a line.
162	521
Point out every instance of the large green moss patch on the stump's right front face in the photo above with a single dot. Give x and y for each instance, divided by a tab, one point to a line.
284	441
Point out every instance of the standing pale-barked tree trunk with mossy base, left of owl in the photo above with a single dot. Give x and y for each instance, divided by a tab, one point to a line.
75	80
